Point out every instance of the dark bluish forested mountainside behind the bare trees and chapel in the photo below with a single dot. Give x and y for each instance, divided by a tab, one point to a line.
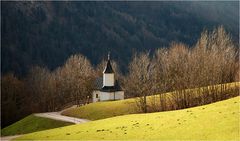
47	33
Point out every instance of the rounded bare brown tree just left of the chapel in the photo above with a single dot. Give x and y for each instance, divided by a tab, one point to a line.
79	76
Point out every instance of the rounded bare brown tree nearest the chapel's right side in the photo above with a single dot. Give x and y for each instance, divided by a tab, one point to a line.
138	82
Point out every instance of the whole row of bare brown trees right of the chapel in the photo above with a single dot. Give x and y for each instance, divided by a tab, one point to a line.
213	60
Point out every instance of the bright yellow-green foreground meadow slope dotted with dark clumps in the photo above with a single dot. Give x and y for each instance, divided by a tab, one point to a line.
217	121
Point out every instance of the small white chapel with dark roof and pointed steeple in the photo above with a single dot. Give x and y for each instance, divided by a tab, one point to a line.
106	87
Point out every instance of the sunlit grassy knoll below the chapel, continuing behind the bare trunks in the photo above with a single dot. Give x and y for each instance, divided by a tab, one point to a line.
101	110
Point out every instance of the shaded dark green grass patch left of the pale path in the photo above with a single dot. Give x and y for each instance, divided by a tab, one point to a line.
31	124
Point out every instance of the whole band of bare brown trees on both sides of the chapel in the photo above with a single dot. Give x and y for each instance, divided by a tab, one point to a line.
213	60
